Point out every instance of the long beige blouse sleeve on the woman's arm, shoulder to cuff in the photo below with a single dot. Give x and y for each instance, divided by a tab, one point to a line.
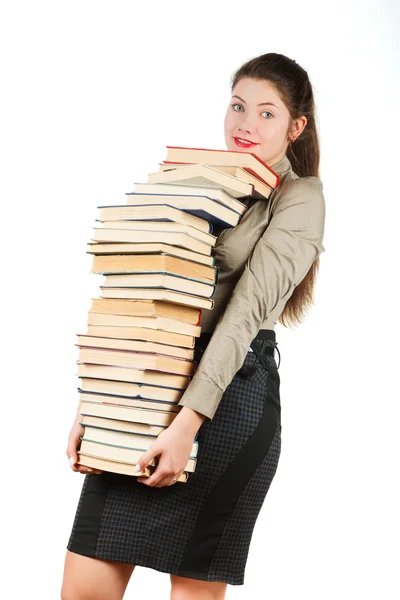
280	261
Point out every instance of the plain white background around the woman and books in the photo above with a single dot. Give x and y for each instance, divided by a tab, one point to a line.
91	93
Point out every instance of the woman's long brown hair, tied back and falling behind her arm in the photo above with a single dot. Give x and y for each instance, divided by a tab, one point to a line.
293	85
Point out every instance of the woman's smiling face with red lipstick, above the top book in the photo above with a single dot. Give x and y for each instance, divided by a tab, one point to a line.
257	114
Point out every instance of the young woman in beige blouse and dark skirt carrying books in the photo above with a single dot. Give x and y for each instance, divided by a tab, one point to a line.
200	532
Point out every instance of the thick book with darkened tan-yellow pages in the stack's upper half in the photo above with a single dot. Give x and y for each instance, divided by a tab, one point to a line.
153	263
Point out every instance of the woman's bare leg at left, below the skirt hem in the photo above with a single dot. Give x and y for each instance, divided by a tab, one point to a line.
88	578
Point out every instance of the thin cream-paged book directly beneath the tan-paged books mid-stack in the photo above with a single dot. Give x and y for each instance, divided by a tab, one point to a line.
135	345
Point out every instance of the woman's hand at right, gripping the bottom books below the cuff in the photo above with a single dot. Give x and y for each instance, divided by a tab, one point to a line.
173	446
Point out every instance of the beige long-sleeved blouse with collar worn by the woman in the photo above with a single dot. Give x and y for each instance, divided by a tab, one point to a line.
260	261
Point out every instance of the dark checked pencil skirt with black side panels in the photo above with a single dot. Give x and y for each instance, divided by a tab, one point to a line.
200	529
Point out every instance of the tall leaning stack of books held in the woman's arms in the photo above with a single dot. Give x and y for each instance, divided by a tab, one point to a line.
155	252
